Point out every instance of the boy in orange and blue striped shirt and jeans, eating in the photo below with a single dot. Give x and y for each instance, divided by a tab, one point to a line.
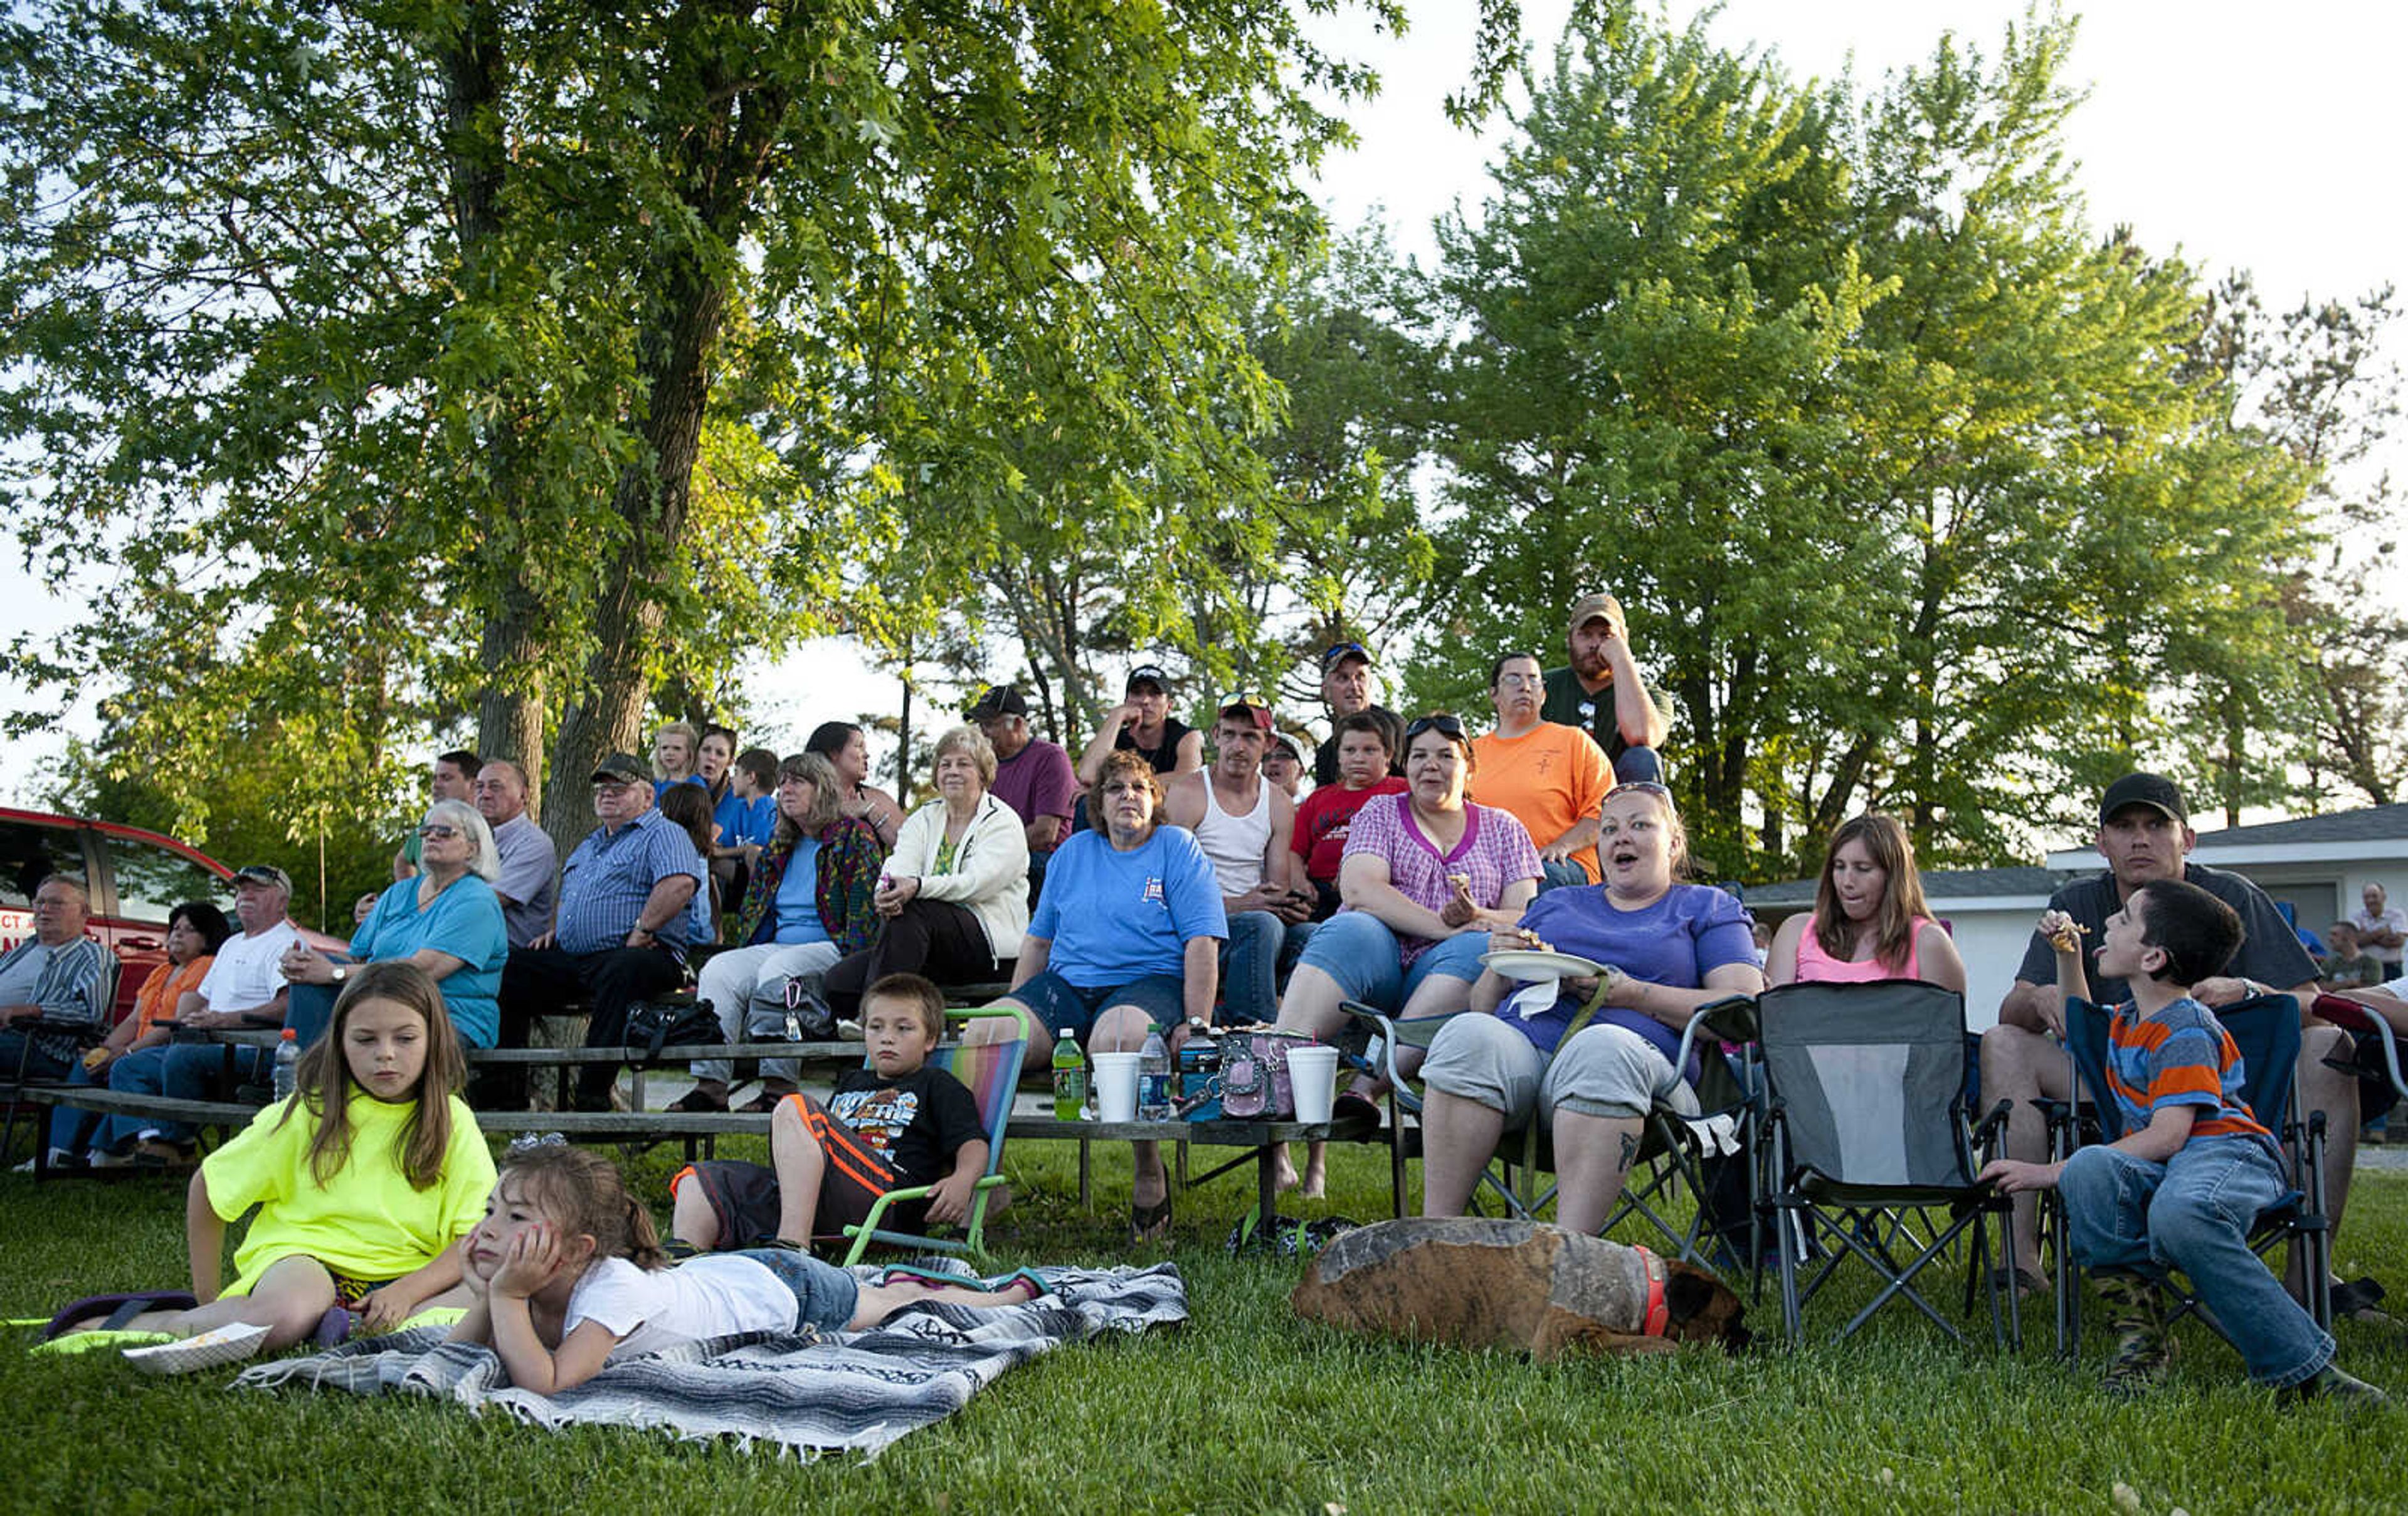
2178	1189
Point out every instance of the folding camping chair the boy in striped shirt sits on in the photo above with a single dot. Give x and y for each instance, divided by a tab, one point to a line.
2267	1033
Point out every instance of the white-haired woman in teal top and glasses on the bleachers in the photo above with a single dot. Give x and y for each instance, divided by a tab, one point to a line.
444	922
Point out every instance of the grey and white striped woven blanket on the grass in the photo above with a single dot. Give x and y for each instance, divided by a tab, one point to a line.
803	1392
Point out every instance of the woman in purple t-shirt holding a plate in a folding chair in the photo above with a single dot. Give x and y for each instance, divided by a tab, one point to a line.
1670	948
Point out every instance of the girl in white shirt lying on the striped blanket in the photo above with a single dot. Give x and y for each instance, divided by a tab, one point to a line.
567	1271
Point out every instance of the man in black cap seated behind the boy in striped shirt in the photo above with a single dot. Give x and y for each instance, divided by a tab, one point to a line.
2147	835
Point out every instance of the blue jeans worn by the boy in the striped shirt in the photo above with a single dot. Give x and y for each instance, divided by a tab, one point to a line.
2192	1214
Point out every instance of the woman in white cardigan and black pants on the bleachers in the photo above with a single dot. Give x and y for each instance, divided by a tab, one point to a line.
955	895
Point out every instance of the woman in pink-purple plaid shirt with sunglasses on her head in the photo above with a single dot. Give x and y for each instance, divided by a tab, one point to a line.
1427	879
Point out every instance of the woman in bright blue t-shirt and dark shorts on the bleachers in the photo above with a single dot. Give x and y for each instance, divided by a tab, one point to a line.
1126	939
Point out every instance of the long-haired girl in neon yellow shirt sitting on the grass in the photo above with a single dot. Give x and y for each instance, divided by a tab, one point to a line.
365	1182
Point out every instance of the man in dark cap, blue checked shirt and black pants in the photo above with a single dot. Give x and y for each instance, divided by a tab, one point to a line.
632	903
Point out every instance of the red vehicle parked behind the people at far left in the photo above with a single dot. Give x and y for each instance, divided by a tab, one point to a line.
136	881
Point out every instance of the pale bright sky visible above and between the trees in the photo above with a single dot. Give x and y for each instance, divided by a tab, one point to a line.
2257	139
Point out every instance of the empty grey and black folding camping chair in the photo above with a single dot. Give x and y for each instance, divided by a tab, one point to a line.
1865	1122
